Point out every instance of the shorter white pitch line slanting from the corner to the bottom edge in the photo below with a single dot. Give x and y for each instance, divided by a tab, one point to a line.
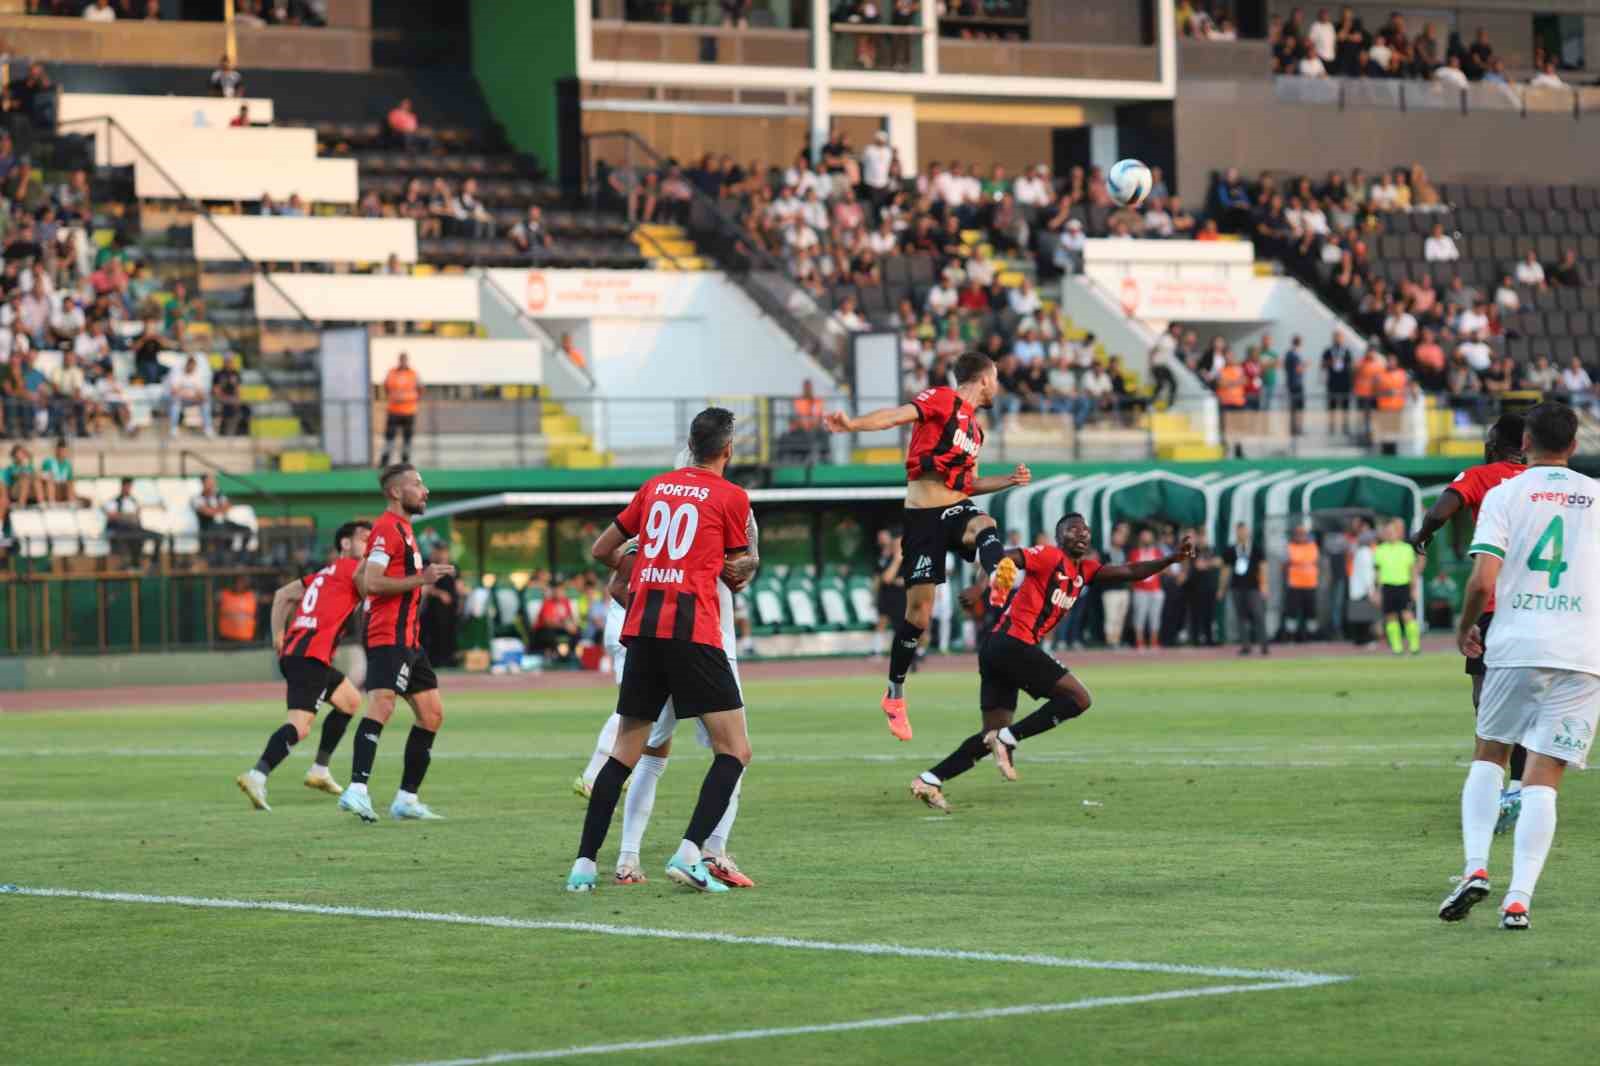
866	1024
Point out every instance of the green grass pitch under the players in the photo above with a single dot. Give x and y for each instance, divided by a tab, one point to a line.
1254	816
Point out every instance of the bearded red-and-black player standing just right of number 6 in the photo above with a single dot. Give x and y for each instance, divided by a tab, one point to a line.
393	580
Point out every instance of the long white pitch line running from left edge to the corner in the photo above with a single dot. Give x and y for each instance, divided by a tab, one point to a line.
903	952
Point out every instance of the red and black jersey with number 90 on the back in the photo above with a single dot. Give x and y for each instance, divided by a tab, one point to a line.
687	523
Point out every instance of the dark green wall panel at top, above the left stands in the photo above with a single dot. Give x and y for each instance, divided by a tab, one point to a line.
521	49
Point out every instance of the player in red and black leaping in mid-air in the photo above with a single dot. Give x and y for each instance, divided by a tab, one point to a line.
942	476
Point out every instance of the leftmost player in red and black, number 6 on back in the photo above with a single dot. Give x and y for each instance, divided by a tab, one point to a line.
322	604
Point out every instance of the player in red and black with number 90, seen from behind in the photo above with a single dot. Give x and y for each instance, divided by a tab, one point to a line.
694	531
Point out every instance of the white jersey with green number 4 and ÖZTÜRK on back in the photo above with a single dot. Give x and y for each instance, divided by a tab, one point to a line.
1545	529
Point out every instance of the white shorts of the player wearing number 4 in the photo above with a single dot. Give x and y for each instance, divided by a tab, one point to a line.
1550	711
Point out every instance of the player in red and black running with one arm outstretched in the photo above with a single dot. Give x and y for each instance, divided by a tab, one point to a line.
1014	660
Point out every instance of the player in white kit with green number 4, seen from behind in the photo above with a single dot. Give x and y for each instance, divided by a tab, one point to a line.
1537	547
